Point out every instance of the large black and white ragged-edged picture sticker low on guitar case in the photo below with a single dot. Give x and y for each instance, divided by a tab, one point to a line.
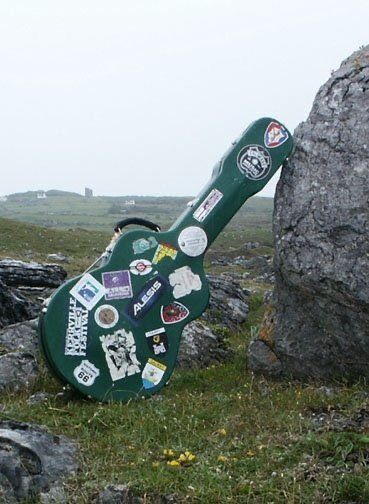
120	354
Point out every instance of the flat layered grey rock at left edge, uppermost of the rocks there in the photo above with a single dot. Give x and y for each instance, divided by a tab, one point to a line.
19	273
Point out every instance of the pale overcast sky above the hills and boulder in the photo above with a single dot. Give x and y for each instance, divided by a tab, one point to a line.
143	97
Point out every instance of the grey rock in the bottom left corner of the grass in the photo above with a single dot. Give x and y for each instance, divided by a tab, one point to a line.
33	463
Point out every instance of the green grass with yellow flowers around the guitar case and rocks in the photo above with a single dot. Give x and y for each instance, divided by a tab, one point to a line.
251	440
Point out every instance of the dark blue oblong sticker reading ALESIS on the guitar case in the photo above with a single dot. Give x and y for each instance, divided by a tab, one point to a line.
143	302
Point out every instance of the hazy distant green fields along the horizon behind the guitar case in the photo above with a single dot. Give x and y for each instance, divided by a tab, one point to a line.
100	213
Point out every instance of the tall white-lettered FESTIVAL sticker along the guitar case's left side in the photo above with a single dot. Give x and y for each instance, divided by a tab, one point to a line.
76	337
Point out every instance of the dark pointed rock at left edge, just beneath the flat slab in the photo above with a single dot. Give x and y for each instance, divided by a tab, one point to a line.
14	307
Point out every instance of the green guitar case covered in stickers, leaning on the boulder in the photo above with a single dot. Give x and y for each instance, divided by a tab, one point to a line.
114	333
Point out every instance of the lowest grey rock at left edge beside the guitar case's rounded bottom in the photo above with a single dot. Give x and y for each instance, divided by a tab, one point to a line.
17	371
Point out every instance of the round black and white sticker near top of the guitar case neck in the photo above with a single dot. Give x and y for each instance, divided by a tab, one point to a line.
254	161
